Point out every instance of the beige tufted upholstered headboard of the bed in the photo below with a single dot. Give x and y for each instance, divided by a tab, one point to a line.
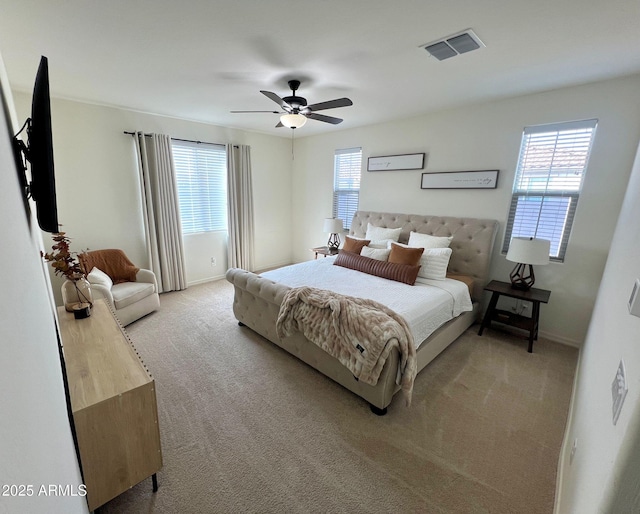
472	243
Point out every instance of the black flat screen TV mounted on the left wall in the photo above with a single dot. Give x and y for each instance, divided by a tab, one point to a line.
39	153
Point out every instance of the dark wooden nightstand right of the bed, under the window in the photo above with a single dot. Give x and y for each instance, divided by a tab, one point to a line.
533	295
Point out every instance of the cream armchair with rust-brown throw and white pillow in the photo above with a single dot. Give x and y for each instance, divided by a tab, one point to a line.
132	292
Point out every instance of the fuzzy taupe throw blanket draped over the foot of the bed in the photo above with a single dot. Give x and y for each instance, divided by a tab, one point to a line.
358	332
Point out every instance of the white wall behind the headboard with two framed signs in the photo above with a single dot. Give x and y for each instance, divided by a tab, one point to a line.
487	136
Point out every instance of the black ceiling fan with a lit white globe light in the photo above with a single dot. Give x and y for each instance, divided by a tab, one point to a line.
295	110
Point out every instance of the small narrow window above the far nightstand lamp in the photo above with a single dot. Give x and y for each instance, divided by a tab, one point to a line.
346	184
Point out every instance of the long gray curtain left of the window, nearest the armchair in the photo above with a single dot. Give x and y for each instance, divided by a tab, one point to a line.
161	211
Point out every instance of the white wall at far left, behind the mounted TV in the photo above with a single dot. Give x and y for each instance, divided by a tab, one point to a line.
36	445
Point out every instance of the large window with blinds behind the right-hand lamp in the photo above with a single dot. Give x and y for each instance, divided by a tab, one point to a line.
551	167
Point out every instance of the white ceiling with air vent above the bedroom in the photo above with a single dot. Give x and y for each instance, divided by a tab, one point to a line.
200	59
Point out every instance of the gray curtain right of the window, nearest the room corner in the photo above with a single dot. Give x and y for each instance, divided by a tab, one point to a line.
240	205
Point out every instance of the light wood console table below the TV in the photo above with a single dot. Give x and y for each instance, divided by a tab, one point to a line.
114	406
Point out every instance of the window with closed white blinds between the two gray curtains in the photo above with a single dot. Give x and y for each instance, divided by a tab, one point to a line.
201	176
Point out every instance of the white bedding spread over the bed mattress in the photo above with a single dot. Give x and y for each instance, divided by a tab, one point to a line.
425	306
